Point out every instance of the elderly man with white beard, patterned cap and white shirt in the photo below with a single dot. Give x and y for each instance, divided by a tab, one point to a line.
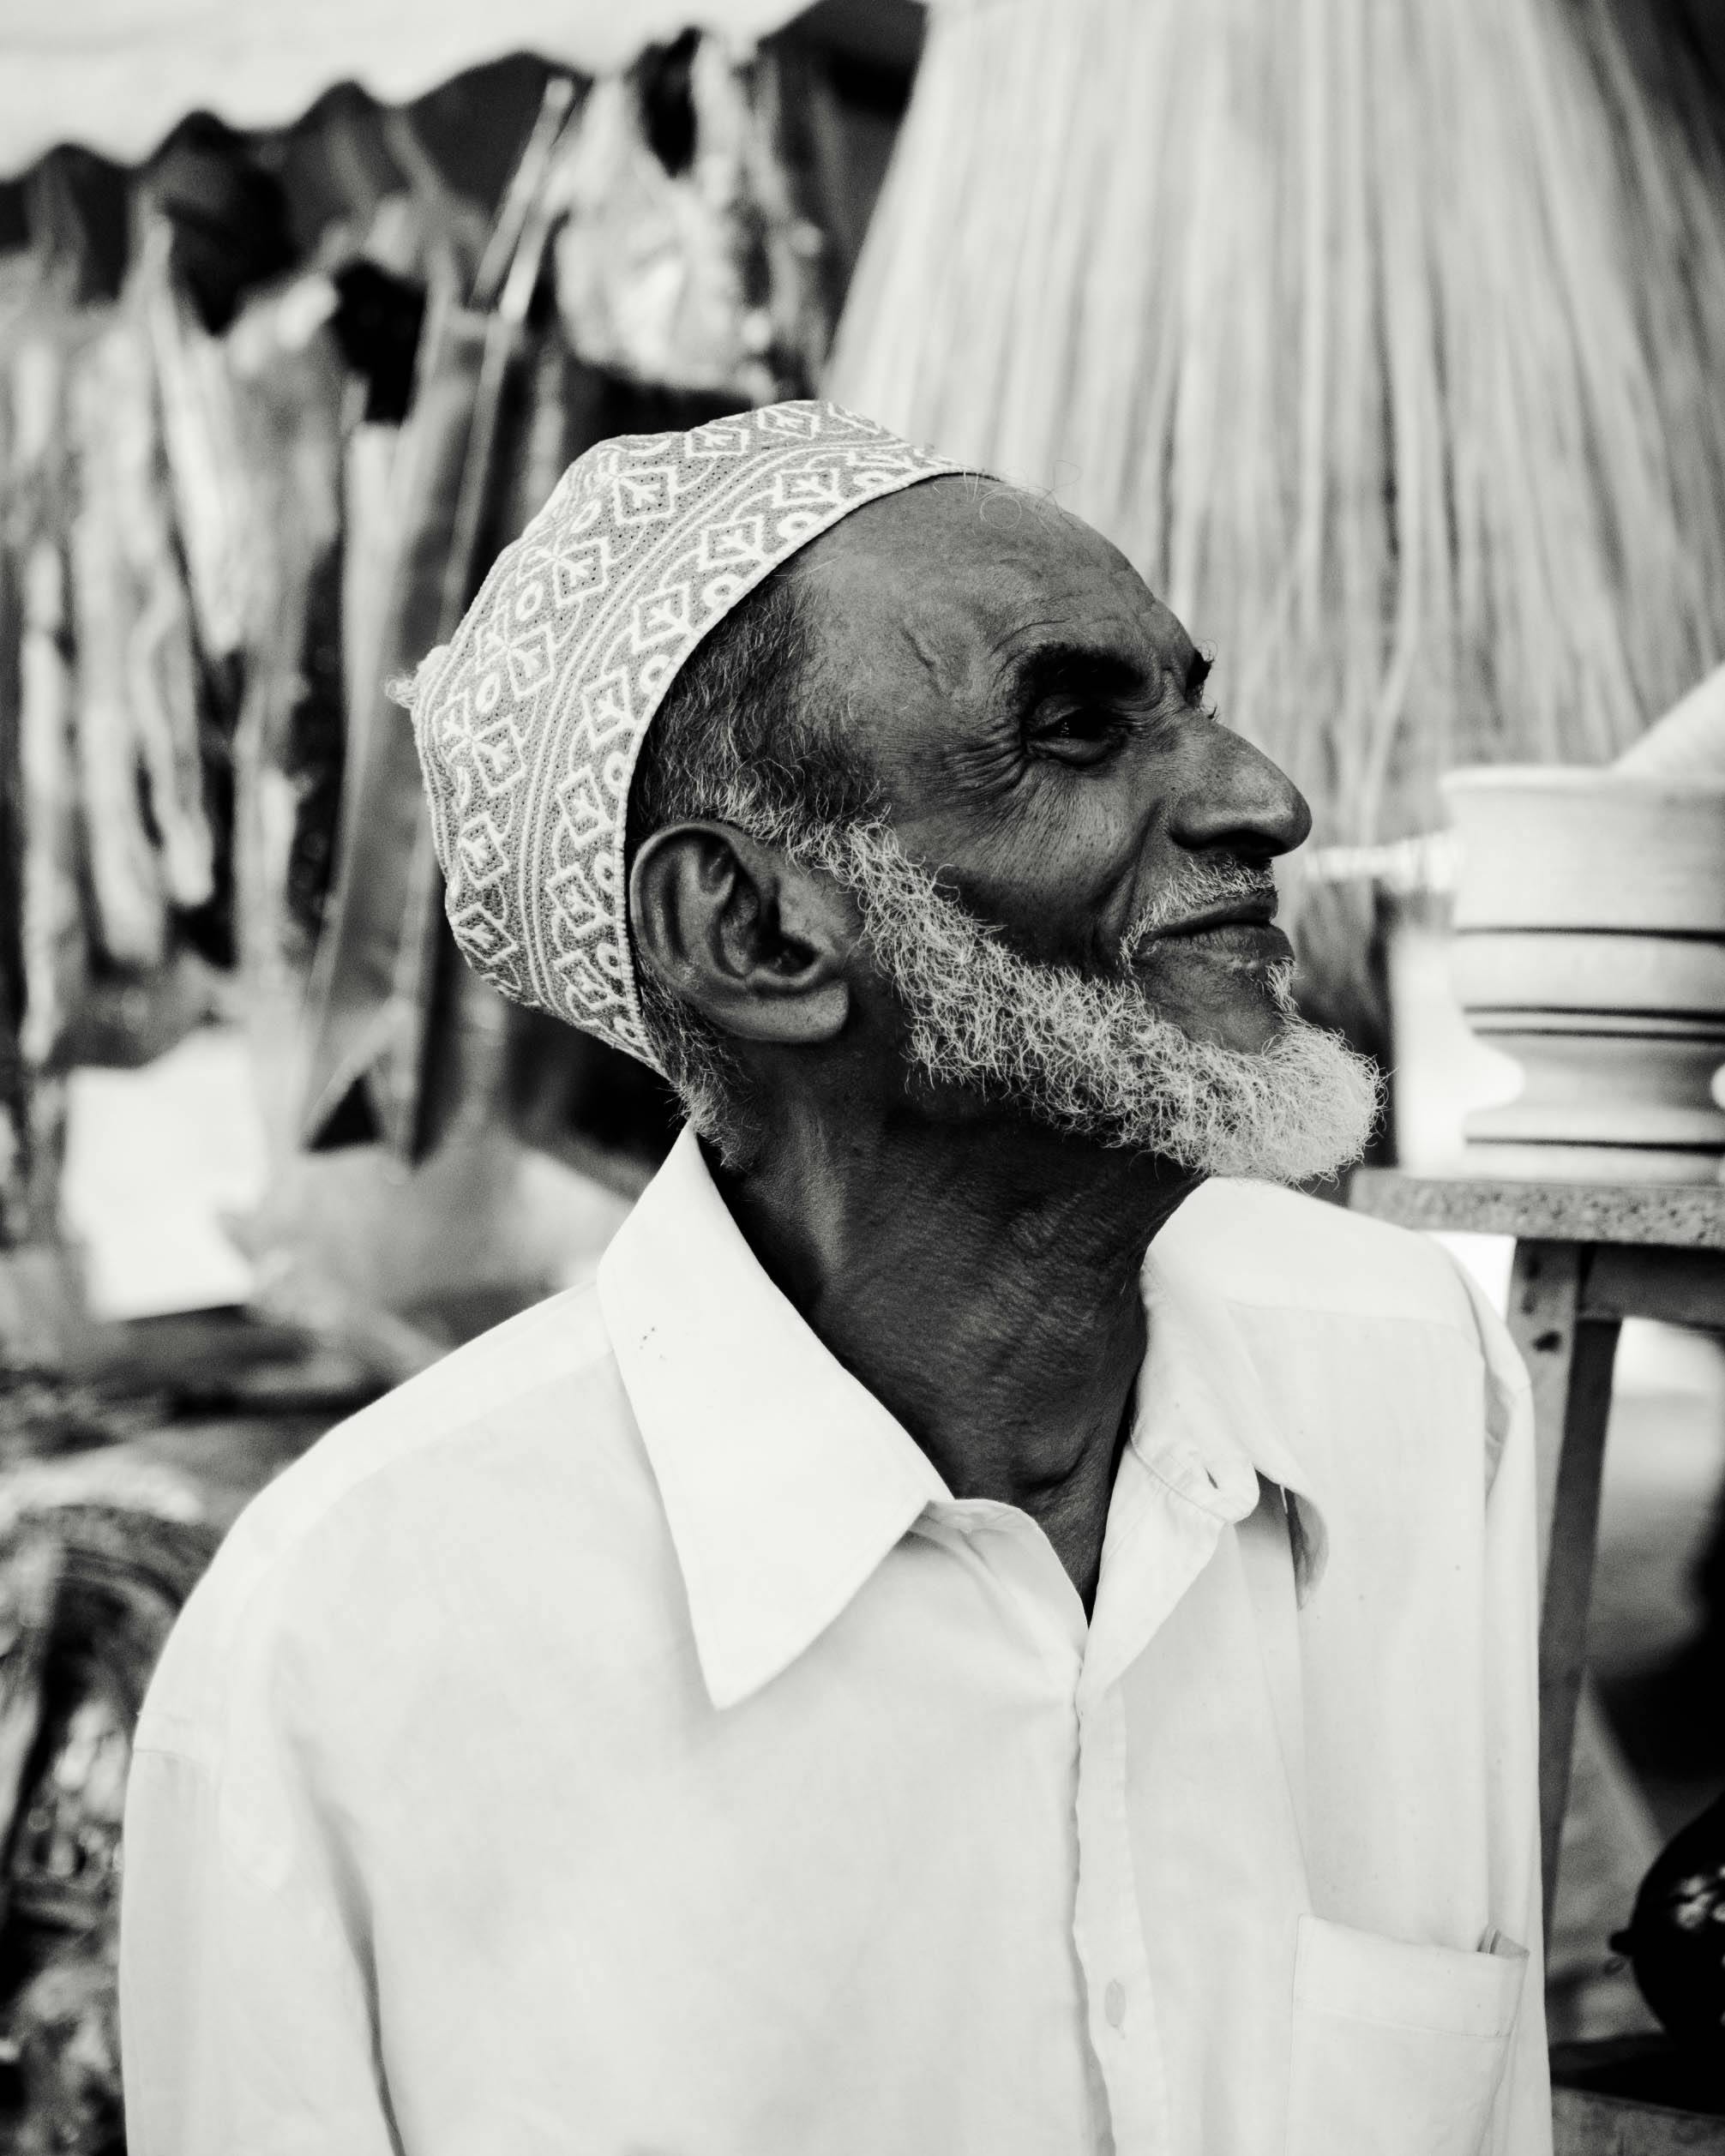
991	1629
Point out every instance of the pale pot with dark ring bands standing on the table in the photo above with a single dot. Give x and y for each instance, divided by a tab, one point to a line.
1590	945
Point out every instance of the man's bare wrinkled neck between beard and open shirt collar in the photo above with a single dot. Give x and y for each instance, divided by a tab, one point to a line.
986	1293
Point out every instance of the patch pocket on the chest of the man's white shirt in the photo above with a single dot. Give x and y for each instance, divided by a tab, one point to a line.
1398	2049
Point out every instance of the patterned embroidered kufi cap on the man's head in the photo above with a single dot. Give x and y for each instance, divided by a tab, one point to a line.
532	717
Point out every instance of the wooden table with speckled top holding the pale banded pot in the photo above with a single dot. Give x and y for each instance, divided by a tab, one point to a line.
1588	1256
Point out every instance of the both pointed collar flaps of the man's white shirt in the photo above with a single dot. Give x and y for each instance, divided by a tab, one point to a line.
786	1482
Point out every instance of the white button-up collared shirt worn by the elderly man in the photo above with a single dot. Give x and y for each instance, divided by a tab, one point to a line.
620	1741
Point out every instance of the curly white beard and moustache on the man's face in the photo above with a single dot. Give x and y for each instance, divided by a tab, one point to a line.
1088	1055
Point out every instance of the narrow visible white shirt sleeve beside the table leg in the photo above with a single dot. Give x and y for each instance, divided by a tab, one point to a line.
1521	2125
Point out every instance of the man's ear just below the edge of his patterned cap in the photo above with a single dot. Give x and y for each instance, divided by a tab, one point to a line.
741	935
